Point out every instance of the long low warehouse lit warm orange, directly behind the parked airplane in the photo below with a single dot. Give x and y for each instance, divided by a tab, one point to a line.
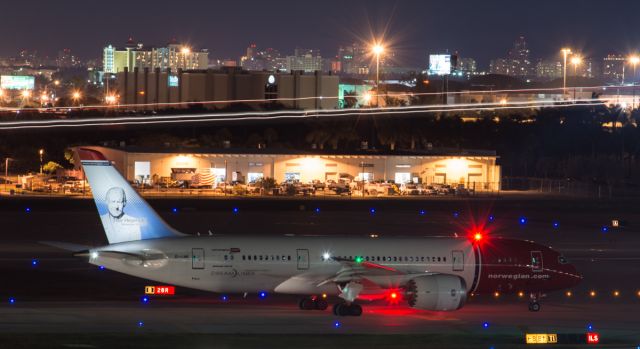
476	169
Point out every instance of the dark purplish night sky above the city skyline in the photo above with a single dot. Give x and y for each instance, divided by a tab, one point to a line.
476	28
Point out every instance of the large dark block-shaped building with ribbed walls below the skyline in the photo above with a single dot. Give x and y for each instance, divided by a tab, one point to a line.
179	89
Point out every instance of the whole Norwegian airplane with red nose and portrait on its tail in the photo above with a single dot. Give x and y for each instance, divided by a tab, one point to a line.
427	273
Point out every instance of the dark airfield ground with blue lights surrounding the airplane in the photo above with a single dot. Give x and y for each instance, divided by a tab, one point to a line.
64	302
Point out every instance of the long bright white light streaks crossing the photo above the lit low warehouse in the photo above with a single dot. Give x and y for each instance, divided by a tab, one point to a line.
187	119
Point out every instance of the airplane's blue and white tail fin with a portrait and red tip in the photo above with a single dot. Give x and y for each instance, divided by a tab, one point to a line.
125	215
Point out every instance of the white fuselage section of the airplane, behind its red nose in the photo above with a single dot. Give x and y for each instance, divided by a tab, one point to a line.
292	265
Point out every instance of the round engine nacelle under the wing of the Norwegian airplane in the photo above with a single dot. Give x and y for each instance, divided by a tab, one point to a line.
437	292
